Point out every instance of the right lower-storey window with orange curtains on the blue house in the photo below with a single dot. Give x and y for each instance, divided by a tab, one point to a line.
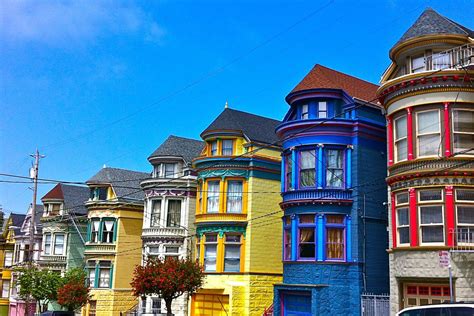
335	241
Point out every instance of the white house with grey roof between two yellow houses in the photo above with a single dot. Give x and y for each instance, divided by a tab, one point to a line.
170	205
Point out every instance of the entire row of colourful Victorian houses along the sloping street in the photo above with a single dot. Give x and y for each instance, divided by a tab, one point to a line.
288	216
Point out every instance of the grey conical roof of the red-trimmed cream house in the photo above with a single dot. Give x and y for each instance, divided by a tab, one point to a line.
431	22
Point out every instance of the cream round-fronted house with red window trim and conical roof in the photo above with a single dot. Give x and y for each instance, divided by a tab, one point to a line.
428	95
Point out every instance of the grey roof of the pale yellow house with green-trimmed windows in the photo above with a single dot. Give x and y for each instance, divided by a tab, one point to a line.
126	183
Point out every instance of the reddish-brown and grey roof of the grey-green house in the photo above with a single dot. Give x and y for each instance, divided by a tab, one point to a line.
73	197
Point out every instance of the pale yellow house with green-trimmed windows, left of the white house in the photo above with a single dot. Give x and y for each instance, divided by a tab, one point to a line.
113	245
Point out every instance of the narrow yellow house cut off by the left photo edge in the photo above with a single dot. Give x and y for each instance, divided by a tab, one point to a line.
7	245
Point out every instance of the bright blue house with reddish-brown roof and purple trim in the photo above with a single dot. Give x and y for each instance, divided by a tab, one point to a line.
335	219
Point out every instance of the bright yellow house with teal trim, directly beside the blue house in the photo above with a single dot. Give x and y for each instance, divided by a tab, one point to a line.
238	223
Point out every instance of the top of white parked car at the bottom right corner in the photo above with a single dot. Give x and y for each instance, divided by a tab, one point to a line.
455	309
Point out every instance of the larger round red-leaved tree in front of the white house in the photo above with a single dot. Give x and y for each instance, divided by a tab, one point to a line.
169	279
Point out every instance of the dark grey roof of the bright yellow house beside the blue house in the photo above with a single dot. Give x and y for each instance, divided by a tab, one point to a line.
257	128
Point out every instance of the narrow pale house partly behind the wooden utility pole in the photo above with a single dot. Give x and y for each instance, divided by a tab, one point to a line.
23	253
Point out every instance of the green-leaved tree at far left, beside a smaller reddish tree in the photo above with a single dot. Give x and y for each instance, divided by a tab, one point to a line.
39	285
